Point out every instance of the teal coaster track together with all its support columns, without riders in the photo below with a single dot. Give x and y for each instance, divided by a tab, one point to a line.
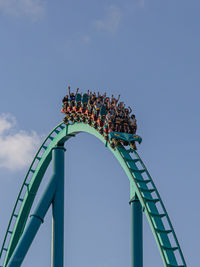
144	198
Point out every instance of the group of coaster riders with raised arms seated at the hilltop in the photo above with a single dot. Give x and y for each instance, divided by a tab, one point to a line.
100	111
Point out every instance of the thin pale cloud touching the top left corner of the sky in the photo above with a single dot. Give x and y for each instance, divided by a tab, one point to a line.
34	9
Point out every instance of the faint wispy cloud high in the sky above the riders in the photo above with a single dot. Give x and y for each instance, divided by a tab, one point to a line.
111	20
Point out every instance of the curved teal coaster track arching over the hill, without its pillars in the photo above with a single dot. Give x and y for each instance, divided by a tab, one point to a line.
141	186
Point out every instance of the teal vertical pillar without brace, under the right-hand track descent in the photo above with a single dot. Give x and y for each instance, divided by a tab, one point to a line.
136	233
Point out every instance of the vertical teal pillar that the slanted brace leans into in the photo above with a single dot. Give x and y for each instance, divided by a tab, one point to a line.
57	254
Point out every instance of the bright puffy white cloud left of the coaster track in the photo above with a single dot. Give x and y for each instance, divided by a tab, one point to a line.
16	148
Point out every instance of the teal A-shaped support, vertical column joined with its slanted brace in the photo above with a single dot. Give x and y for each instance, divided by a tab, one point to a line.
54	194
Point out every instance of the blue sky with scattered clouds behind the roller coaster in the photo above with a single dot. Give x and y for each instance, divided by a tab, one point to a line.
147	51
